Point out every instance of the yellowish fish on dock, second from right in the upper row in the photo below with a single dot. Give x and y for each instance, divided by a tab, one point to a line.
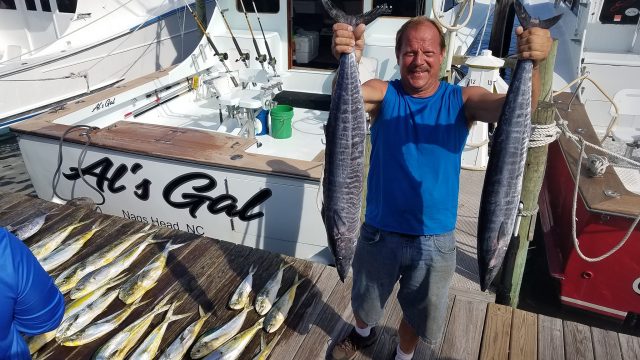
96	278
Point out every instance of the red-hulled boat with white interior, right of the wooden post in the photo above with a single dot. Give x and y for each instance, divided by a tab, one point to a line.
598	65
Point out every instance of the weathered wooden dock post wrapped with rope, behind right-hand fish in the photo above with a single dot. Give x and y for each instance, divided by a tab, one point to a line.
514	263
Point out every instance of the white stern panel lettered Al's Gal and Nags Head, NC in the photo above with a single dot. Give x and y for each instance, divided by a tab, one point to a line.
266	211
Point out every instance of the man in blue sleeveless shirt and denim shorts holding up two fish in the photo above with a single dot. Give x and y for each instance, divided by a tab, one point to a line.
419	125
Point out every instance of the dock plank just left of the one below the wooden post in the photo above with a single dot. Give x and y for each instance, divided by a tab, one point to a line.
465	327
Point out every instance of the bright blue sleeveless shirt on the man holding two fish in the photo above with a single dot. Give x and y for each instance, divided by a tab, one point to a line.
416	149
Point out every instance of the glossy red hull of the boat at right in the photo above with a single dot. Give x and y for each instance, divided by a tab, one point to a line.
610	287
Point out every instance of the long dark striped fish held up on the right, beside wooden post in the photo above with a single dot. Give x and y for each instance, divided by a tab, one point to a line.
503	180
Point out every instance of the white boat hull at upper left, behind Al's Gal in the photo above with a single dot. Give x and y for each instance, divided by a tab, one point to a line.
52	51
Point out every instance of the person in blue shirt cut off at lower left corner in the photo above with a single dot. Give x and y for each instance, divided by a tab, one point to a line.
30	302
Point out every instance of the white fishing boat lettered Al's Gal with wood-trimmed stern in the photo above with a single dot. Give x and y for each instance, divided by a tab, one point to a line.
177	148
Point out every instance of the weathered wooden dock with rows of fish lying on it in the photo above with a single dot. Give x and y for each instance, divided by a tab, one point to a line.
206	271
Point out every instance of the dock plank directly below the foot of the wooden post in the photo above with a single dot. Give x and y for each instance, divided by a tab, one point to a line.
497	328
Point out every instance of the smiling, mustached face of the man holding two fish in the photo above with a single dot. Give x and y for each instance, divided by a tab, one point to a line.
419	59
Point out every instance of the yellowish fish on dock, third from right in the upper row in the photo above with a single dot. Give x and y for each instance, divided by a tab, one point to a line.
70	277
